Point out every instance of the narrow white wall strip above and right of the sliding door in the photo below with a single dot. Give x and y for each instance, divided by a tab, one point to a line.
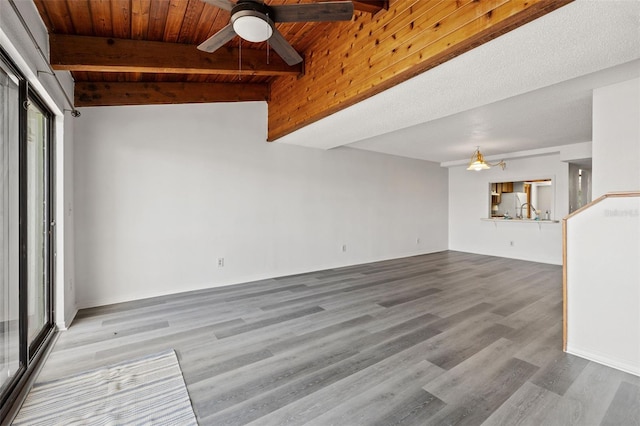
14	39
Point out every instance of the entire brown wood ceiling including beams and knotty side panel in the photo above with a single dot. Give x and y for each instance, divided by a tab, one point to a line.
130	52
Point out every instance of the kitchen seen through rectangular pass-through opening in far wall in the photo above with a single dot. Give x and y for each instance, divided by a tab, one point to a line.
522	200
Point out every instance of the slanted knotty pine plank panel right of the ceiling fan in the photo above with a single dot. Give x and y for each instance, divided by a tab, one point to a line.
345	67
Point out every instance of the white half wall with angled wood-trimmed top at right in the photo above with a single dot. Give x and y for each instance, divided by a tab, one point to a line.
603	248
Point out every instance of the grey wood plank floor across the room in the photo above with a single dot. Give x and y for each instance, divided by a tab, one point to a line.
440	339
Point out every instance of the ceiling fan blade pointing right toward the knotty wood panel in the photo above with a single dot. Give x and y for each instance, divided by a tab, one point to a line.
313	12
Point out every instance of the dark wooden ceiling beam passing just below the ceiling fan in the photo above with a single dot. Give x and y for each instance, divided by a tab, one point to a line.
104	54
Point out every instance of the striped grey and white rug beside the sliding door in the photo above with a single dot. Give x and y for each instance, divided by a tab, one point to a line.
144	391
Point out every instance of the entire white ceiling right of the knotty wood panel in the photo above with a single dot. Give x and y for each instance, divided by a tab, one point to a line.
528	89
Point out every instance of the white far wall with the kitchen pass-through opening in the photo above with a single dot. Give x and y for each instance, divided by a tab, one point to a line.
469	201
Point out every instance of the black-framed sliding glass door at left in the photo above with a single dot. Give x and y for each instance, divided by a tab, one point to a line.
26	227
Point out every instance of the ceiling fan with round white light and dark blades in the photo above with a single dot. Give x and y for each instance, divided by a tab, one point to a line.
254	21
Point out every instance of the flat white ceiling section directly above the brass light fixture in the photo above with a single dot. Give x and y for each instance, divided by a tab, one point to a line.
555	115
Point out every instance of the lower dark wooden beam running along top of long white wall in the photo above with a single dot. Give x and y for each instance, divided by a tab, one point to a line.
135	93
